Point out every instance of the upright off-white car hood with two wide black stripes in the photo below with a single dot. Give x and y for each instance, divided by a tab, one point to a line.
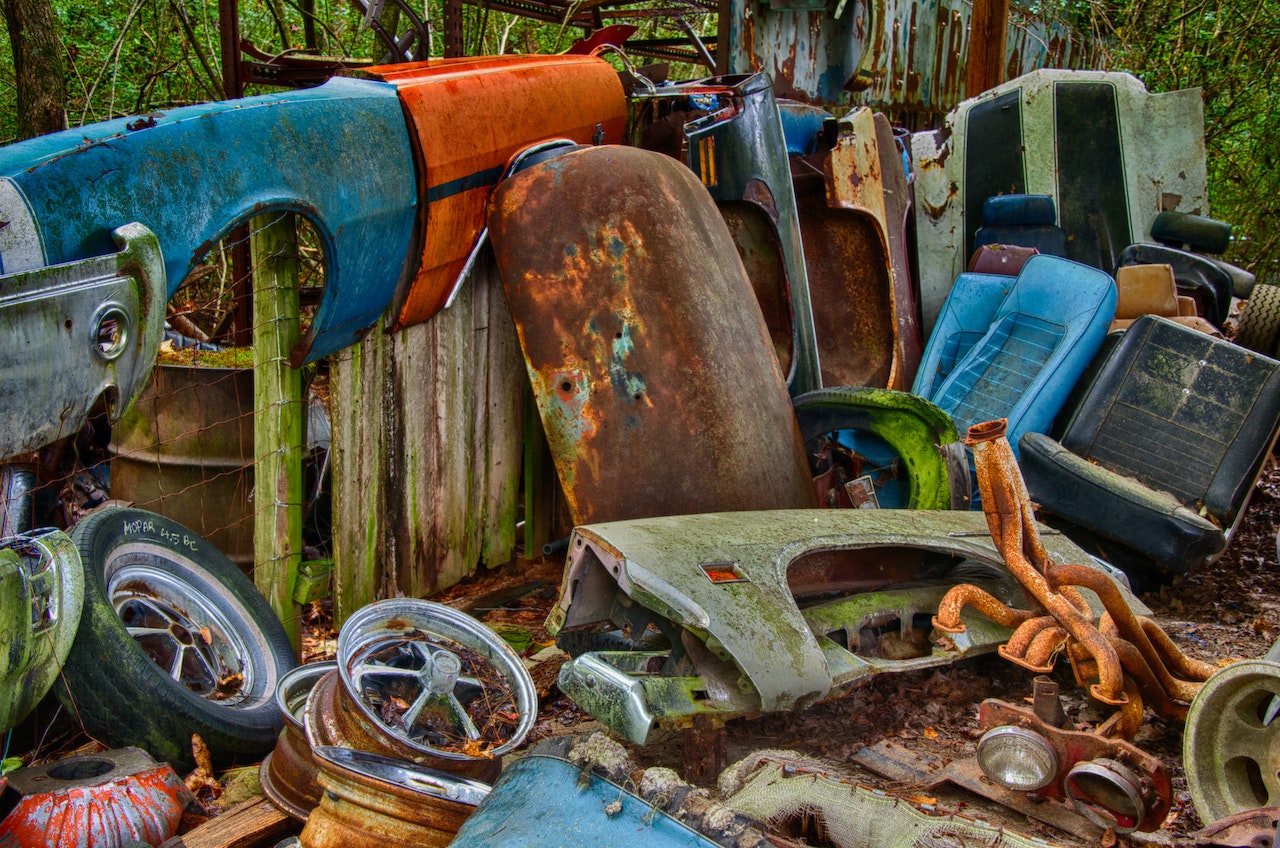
1112	156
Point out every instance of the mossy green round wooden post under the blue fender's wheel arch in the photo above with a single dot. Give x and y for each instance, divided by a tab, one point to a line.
278	417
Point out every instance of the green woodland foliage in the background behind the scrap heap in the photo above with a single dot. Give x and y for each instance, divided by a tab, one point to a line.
129	57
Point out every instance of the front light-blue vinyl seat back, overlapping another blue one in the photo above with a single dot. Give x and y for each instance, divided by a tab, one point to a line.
1039	344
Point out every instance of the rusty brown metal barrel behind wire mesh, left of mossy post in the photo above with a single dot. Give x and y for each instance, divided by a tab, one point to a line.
186	450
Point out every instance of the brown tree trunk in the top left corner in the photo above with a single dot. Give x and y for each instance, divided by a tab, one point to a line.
38	65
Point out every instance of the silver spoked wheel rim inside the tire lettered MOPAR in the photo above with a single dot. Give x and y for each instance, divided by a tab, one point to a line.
180	631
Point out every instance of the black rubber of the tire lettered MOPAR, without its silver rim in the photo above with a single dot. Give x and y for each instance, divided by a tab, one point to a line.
124	699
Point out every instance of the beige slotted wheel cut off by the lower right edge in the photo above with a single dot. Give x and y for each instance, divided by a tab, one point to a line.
1232	745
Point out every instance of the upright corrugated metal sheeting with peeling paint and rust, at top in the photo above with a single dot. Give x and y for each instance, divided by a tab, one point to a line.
907	54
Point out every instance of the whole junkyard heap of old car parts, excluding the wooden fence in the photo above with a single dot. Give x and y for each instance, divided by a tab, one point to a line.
863	441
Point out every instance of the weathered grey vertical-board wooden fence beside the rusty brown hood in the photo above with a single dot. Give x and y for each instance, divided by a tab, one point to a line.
427	450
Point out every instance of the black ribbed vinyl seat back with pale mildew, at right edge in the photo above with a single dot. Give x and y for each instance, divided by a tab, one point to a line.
1182	413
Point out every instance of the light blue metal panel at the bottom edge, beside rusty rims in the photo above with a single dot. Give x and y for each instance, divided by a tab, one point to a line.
540	801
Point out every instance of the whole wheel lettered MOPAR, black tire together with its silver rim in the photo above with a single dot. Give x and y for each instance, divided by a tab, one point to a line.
190	608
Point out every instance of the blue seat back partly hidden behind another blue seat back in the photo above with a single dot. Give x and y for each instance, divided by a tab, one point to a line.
966	318
